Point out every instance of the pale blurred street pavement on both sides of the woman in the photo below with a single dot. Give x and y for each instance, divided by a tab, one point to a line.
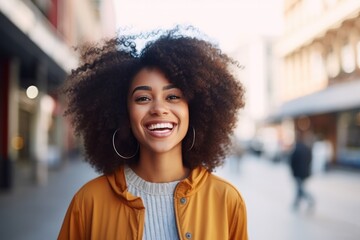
36	212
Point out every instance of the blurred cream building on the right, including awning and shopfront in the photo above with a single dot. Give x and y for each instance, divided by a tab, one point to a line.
319	84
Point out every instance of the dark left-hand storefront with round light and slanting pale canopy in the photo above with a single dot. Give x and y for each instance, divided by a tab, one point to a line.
33	62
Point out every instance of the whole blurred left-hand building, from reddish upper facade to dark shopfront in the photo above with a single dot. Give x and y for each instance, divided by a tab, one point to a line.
36	54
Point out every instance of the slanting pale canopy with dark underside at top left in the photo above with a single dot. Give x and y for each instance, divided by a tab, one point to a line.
26	34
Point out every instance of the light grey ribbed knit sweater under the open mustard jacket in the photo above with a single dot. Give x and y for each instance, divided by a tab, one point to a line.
158	199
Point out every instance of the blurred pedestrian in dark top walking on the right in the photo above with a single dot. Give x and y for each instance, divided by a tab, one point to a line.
300	163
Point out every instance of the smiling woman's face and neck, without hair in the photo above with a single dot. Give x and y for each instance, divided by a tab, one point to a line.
159	120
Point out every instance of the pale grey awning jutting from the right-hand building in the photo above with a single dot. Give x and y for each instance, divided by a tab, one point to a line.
339	97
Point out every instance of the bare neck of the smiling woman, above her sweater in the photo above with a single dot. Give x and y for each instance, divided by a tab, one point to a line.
161	167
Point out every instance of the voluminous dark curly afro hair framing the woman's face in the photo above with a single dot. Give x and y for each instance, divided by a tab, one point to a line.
97	95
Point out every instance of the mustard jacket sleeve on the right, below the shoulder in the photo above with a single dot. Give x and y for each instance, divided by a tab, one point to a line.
238	225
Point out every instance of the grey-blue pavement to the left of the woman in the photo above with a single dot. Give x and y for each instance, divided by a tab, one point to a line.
36	212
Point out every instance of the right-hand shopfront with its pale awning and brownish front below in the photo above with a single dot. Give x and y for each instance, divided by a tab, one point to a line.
332	114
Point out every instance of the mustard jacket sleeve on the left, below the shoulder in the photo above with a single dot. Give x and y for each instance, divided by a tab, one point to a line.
73	224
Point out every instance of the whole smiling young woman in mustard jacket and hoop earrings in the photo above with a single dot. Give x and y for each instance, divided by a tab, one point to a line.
156	124
